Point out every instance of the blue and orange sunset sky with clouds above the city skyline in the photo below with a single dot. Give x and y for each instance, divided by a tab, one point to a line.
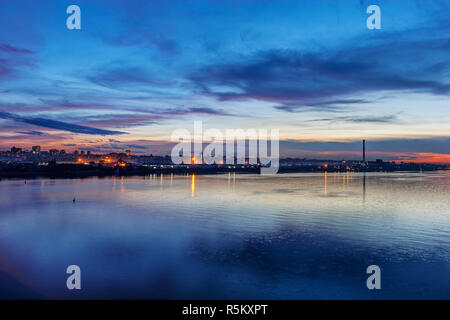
138	70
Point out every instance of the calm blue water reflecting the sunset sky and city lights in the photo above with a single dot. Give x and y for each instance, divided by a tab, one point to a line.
291	236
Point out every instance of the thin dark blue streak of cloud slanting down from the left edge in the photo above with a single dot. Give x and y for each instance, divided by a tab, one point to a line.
58	125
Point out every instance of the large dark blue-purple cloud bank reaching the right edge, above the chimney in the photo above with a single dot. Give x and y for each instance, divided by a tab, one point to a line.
325	80
